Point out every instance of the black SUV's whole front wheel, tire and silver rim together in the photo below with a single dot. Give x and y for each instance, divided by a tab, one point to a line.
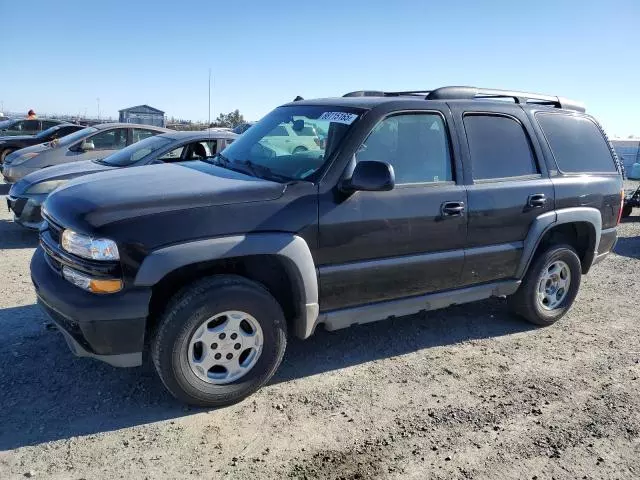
219	341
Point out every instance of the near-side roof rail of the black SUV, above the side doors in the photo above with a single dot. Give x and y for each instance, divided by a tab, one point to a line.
470	93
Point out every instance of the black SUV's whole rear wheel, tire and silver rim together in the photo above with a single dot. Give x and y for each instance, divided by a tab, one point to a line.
549	287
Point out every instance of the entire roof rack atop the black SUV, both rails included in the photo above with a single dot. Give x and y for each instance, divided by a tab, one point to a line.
471	93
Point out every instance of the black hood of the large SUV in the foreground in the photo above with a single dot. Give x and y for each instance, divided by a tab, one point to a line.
107	197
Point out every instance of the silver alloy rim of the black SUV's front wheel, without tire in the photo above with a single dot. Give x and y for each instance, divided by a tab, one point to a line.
225	347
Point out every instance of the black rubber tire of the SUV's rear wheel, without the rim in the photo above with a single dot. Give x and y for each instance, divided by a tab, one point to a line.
524	302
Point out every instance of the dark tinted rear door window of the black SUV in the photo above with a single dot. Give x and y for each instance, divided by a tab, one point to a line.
499	147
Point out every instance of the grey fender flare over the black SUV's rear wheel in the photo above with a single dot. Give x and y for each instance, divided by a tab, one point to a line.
545	222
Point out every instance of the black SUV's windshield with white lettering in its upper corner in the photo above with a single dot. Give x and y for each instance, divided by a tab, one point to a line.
286	142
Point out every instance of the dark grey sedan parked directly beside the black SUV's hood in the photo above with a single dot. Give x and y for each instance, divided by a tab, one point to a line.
27	195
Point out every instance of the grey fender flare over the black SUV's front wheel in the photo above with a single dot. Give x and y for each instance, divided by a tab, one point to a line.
290	247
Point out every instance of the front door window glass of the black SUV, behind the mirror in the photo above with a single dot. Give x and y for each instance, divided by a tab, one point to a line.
415	145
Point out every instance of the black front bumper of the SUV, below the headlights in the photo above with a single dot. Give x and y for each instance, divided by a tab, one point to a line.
110	328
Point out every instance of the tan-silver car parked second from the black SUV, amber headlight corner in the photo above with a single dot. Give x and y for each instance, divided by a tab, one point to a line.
86	144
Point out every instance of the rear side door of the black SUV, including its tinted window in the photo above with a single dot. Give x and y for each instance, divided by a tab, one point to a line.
508	186
